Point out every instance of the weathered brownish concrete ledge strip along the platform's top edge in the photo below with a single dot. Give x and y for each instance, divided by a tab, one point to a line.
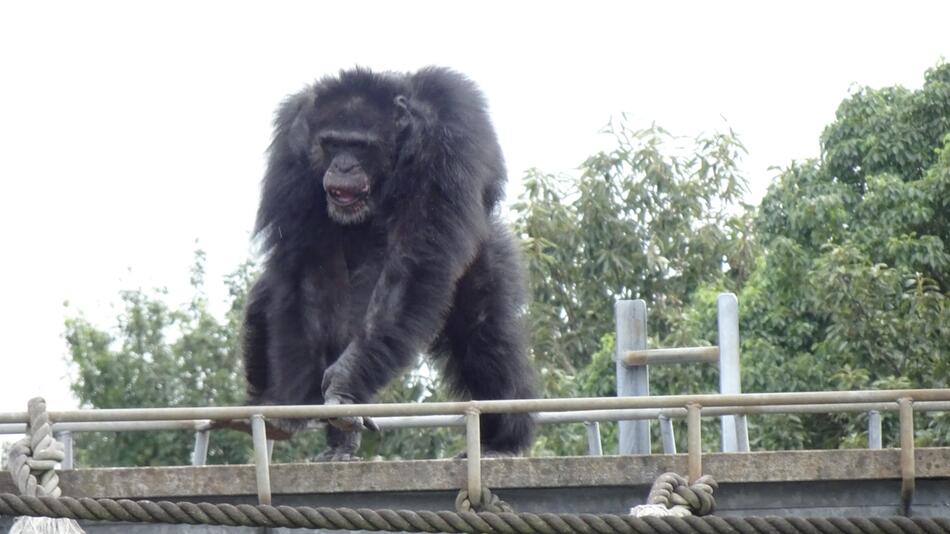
436	475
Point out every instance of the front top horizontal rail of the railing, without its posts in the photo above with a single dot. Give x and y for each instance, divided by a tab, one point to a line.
488	407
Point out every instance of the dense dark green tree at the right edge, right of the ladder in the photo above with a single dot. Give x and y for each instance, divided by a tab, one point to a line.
852	291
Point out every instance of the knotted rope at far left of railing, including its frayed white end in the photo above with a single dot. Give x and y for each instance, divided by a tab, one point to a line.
32	463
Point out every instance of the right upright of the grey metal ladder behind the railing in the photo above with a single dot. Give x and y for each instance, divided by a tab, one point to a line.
729	383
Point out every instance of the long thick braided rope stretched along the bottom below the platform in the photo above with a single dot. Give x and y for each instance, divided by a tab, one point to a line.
409	521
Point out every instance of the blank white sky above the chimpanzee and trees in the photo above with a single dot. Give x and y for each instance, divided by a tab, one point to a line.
129	130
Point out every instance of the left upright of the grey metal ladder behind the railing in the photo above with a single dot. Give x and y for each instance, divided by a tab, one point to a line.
631	325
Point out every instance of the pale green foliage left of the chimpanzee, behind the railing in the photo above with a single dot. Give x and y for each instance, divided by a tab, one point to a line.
160	356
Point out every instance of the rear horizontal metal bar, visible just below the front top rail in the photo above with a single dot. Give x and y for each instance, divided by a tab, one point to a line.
578	416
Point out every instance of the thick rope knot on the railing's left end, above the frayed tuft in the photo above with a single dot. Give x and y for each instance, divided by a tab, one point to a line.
33	459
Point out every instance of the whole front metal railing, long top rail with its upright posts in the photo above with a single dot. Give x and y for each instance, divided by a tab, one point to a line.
467	414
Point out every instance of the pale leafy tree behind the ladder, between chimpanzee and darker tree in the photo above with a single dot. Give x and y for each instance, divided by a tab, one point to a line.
652	218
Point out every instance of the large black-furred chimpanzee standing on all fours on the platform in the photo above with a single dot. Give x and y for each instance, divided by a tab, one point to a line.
378	219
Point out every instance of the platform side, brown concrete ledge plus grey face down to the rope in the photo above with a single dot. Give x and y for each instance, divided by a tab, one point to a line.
839	483
